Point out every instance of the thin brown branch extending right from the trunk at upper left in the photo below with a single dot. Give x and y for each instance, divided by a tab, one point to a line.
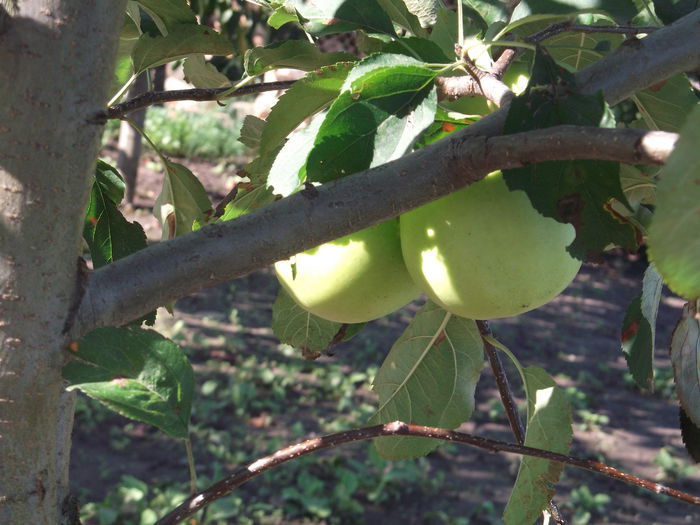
150	98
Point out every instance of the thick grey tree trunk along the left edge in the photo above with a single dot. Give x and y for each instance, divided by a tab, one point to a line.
56	64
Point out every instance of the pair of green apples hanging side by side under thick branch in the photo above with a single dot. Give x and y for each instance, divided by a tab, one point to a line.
482	252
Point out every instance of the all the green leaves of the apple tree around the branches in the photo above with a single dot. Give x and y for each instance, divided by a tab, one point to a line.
367	110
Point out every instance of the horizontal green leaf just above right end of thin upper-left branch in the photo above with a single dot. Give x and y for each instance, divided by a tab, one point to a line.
296	54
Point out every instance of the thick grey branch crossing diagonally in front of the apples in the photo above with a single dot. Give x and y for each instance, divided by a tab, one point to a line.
133	286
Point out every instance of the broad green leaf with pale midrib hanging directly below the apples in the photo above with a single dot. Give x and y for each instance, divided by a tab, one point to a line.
428	378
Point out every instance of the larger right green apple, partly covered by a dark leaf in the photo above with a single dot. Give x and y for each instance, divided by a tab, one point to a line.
484	252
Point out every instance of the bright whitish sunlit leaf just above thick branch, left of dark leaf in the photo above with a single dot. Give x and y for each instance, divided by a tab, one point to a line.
288	172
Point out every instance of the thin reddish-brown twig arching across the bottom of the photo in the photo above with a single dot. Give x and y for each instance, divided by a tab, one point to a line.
194	503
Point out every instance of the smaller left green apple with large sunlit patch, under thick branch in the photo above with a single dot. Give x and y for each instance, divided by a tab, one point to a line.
353	279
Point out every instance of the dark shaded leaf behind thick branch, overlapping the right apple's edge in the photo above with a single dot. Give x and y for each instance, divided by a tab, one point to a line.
575	192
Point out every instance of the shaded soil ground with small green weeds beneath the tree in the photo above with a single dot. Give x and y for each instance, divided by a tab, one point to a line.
255	396
